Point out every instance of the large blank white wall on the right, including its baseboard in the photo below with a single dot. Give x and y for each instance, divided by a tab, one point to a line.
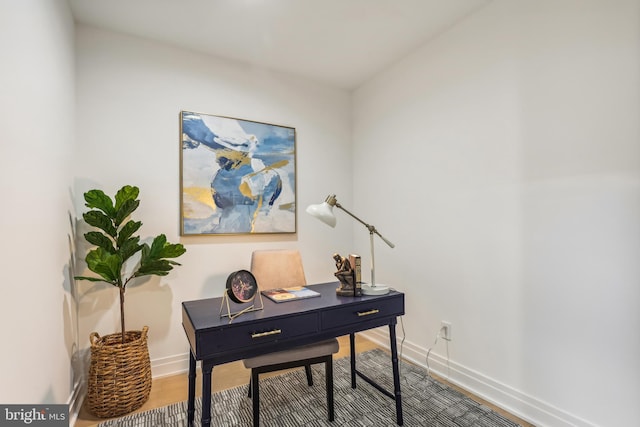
511	151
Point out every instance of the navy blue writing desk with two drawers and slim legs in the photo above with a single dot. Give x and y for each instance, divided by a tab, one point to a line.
280	326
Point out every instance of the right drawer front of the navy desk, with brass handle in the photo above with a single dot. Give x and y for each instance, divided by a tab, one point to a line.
362	312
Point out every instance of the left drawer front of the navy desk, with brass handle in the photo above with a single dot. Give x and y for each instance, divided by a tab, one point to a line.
241	336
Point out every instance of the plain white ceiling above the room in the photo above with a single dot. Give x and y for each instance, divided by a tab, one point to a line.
339	42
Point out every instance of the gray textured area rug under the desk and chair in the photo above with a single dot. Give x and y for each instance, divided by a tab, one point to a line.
287	401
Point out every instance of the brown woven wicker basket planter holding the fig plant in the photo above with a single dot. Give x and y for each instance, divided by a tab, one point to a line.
119	374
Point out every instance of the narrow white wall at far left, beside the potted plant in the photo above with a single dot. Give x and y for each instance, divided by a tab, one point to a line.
37	308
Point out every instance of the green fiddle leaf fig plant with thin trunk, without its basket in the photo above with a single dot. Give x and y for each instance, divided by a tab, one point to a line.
116	243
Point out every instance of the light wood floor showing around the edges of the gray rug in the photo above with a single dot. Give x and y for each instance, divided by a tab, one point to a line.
172	389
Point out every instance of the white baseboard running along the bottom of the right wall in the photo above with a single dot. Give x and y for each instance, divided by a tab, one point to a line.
515	402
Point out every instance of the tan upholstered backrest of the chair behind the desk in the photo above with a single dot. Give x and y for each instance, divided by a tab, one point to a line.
279	268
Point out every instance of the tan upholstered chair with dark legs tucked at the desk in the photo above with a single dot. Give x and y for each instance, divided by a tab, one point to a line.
281	269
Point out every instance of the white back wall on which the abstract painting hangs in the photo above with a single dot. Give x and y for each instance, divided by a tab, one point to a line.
129	94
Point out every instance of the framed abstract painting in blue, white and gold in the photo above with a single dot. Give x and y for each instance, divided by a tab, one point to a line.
236	176
